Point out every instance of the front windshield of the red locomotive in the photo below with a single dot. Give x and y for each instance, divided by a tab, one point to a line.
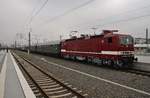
126	40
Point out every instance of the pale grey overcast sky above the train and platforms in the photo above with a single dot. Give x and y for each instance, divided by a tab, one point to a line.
59	17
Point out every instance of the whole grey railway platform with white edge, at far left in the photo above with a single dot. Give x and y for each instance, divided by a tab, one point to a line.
12	82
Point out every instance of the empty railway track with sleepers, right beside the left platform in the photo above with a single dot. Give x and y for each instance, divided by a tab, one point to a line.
43	84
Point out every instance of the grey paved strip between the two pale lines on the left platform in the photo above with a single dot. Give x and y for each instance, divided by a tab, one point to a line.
13	88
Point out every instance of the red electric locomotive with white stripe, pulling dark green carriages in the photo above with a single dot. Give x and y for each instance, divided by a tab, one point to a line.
108	49
